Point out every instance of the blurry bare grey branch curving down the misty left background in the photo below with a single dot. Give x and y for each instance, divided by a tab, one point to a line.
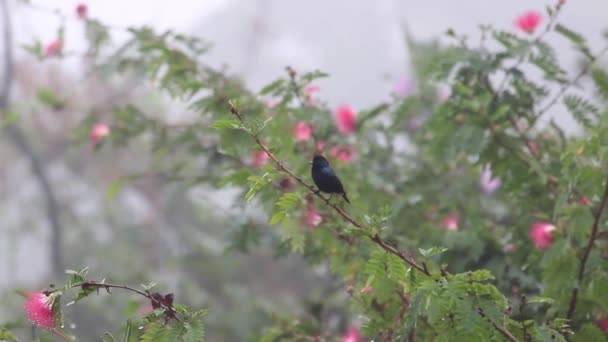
18	138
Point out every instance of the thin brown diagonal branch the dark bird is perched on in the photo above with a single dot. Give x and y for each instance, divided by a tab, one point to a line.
374	238
